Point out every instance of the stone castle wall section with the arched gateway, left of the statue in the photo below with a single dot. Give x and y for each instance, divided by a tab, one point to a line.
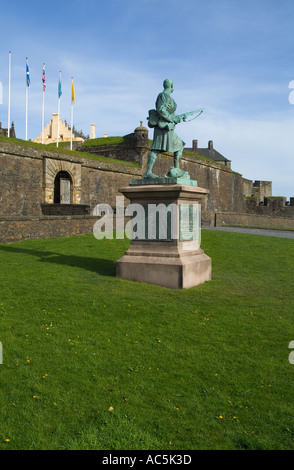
26	207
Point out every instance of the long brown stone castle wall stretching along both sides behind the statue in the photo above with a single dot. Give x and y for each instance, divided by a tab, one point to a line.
27	174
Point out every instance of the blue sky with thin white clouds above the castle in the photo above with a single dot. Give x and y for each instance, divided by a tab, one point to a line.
235	59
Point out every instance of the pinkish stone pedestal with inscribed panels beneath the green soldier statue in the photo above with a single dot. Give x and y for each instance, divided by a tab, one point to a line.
175	261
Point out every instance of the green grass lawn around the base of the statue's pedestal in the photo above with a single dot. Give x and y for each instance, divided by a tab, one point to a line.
95	362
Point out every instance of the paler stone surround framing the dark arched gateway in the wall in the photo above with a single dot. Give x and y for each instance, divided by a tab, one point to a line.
51	168
